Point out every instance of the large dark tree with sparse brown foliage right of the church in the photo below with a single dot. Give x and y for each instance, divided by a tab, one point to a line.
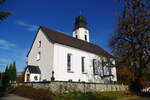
131	41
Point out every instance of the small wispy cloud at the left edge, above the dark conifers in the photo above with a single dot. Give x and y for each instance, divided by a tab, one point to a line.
6	44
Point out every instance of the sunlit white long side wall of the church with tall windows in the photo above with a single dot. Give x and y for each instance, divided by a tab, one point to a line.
60	64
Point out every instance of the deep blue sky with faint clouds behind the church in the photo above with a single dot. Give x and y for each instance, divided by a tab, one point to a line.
18	30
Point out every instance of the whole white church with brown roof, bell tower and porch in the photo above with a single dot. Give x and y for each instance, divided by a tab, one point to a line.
55	56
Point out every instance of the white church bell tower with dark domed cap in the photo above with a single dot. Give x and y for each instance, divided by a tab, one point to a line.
80	30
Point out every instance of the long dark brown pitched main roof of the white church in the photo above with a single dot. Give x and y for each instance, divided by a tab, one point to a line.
64	39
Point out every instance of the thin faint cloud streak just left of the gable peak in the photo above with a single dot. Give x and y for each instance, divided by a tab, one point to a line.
29	27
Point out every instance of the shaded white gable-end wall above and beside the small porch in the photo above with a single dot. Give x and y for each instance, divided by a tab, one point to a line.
45	61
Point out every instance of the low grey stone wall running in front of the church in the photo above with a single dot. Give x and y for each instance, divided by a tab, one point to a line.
74	86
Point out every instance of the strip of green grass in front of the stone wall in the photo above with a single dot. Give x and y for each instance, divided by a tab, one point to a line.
92	96
